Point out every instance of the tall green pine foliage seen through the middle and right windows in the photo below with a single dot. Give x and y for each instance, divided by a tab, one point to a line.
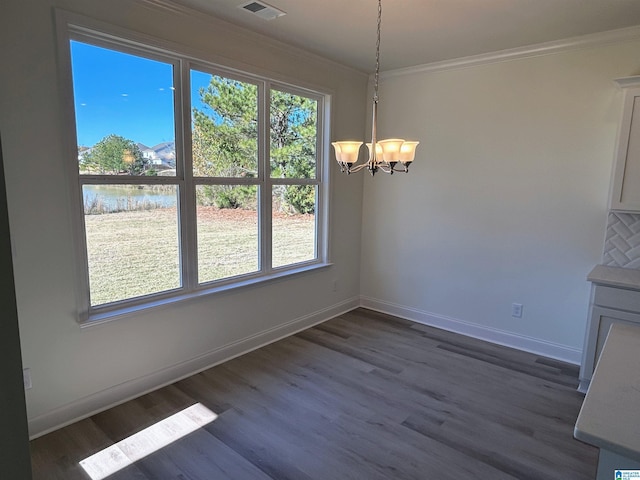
225	141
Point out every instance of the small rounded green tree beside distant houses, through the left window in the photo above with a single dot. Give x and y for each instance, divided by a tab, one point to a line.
114	155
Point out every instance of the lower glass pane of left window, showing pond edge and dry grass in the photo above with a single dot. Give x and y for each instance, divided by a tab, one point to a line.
132	240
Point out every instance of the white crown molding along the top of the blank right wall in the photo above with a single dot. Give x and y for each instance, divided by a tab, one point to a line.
536	50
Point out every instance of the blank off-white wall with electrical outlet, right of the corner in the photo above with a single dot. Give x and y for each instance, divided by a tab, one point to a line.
507	198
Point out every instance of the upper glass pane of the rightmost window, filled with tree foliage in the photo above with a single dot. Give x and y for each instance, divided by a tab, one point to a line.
294	130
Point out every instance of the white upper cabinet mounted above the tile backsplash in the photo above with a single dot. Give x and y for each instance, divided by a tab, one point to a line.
625	186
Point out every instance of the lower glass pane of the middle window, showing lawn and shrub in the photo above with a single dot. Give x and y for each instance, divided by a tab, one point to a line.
227	231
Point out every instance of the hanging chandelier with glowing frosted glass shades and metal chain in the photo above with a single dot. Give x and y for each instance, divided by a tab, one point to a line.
384	155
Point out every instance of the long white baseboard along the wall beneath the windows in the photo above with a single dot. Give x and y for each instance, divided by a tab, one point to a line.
118	394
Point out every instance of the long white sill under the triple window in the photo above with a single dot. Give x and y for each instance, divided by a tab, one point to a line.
105	316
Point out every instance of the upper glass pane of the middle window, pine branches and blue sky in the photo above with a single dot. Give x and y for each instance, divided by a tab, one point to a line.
224	122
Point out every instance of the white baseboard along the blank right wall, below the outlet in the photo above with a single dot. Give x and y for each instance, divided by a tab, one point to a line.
482	332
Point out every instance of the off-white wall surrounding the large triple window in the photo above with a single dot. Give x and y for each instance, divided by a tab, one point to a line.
74	370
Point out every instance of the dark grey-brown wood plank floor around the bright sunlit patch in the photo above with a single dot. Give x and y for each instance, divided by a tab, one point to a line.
363	396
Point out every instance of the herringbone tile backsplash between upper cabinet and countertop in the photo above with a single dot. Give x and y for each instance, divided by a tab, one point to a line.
622	243
